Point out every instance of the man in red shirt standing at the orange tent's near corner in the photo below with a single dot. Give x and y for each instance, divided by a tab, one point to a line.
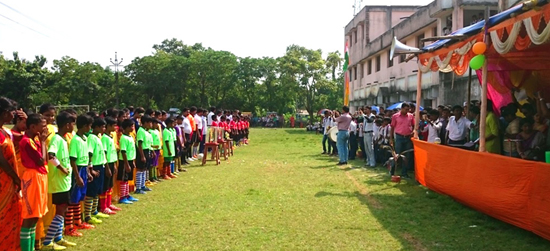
402	124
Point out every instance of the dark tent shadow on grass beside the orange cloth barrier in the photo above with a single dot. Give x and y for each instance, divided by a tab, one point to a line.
424	220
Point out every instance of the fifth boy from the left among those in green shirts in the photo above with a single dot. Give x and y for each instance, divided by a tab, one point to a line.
126	161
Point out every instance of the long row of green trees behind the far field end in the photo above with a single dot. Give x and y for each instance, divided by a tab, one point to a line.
178	75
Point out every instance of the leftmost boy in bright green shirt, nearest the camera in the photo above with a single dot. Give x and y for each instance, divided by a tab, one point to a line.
59	181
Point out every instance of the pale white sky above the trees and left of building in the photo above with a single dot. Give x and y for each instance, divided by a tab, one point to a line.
94	30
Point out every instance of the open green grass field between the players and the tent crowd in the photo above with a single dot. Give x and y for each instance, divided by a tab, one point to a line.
279	193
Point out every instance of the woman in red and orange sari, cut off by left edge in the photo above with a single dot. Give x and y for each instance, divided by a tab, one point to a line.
10	184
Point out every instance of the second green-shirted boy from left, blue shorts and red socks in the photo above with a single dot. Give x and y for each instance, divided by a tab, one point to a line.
79	155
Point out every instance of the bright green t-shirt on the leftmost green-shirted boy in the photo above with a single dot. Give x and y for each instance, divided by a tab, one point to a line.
59	182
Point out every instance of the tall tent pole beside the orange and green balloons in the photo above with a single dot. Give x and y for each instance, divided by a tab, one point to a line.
483	115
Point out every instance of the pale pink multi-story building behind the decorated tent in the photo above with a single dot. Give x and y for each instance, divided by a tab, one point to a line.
377	79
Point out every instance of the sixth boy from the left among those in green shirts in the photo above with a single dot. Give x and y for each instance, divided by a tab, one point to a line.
144	148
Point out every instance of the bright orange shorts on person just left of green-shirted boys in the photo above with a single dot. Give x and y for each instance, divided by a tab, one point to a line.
34	187
